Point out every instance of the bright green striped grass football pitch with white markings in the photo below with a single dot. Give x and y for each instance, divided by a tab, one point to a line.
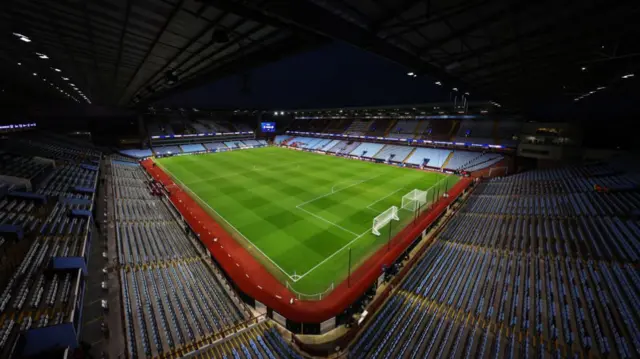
300	213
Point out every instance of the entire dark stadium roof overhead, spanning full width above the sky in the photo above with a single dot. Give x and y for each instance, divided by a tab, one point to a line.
128	51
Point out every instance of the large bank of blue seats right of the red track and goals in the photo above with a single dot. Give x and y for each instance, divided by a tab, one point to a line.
552	269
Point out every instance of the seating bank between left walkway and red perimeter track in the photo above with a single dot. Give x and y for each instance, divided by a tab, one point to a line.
172	296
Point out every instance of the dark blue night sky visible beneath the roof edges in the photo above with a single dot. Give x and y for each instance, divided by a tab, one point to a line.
336	75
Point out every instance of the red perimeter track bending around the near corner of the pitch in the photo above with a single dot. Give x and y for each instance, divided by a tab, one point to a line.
254	280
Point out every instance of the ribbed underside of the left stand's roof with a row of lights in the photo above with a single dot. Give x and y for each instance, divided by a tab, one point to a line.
115	50
